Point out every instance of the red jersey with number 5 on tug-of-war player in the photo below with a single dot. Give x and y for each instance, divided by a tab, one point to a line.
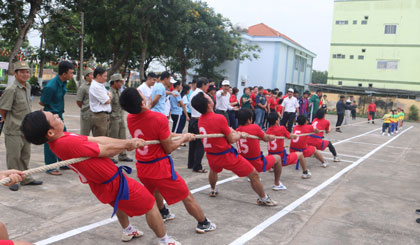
250	148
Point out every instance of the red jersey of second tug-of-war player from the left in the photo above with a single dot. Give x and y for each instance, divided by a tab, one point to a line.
150	125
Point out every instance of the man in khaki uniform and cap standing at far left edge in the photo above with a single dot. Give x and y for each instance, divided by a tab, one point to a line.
15	103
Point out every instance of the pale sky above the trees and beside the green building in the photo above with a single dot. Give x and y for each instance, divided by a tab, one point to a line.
308	22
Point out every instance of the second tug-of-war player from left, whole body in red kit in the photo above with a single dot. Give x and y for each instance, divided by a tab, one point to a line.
155	167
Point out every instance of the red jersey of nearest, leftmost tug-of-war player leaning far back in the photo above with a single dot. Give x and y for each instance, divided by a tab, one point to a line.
93	171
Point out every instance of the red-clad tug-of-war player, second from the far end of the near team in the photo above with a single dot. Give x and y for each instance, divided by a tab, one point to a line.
300	144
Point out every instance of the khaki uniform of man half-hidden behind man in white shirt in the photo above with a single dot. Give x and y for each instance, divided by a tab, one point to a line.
85	112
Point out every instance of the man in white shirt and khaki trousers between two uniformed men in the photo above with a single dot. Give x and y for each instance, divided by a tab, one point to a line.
100	103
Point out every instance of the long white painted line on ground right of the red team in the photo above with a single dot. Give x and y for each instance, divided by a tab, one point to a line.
261	227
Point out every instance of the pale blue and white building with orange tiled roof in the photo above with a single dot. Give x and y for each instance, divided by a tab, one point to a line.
282	62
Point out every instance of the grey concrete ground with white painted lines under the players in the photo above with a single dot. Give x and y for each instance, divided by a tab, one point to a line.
365	199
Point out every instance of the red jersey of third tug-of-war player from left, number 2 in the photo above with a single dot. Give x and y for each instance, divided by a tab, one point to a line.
212	123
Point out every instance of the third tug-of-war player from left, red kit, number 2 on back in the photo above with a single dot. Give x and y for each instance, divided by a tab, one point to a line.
220	154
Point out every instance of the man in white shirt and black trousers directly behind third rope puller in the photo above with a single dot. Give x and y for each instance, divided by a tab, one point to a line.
196	149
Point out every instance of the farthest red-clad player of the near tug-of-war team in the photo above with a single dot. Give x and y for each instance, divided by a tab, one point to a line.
316	140
